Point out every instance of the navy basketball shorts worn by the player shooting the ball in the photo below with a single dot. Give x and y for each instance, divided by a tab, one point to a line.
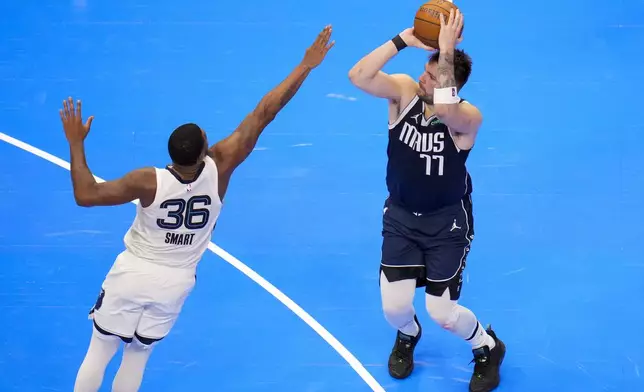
430	247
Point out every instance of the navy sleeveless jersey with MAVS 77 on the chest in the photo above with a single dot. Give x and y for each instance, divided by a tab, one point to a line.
425	169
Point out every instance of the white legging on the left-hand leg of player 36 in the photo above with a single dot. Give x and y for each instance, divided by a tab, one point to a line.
100	352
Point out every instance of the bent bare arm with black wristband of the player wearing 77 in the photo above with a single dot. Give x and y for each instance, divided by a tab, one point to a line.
366	74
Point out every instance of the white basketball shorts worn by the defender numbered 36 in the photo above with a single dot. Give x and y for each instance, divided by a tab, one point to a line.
141	297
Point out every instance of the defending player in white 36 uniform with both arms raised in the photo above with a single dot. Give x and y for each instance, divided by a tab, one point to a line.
177	209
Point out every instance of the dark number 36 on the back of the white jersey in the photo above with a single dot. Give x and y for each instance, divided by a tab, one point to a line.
185	213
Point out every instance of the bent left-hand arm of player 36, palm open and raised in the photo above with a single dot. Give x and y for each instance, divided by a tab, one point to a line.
138	184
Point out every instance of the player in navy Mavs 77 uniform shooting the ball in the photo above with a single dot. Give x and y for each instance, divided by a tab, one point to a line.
427	224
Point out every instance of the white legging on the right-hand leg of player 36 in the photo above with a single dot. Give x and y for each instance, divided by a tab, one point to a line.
130	374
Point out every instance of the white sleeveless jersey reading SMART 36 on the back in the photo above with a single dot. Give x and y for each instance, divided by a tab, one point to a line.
176	228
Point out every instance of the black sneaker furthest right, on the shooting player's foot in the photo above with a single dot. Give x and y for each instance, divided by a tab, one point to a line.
488	362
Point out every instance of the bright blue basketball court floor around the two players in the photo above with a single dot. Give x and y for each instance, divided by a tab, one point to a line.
288	298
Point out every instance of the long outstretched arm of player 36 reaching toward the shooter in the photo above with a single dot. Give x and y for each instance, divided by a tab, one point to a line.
233	150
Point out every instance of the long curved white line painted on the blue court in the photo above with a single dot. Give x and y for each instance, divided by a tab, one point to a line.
266	285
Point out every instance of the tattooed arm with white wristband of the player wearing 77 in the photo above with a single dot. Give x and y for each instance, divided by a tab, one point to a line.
463	118
